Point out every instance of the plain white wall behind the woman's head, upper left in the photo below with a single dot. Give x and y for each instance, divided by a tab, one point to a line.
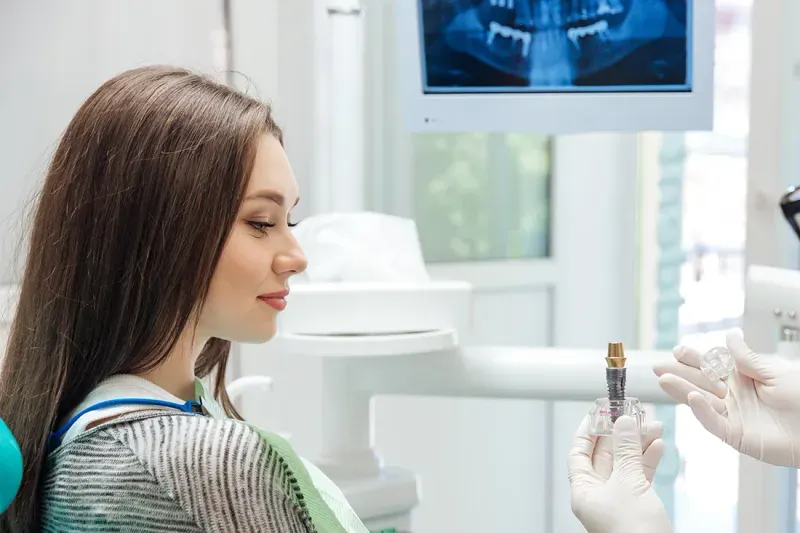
53	54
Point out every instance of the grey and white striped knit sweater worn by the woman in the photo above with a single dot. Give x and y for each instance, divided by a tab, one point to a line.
157	471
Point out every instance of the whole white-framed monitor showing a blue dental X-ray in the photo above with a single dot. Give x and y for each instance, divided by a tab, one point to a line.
556	66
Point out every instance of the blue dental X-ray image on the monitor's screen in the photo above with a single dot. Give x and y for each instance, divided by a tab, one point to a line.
555	46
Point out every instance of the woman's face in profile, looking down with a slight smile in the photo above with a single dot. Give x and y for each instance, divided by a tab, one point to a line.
250	284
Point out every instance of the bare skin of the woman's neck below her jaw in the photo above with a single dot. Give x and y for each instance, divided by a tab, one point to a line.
176	374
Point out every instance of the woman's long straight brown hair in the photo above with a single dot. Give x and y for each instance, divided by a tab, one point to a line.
135	210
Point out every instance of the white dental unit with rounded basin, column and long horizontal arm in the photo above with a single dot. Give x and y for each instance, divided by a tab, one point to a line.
355	368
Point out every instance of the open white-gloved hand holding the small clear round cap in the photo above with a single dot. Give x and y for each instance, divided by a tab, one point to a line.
756	411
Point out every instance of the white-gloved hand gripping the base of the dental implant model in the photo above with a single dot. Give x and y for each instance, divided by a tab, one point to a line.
623	502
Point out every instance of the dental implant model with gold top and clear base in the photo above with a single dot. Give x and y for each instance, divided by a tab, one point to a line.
606	411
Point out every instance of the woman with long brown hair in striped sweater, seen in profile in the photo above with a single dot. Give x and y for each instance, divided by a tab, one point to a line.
161	234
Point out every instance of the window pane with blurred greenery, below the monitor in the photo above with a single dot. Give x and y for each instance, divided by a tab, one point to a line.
481	196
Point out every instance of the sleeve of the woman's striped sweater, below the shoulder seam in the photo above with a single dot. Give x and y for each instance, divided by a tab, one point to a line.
219	471
